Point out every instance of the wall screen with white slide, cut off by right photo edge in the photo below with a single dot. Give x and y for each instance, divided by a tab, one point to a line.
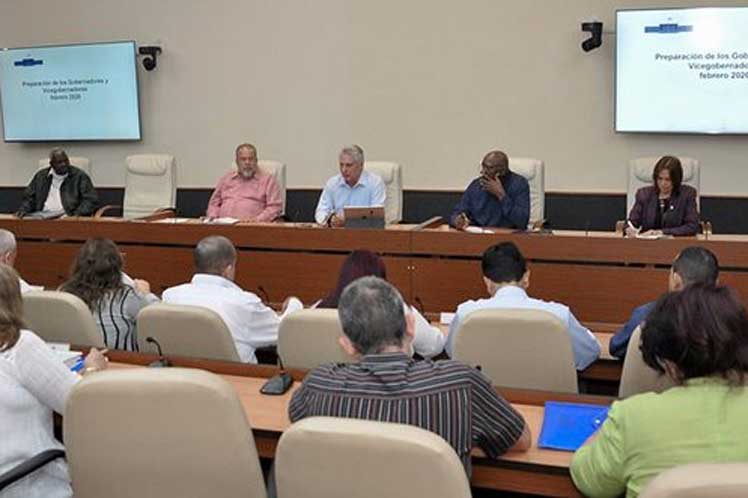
682	70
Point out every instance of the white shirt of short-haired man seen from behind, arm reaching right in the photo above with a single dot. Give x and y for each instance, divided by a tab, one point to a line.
251	323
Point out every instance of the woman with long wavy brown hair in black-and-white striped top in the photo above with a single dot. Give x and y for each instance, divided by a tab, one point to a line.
97	279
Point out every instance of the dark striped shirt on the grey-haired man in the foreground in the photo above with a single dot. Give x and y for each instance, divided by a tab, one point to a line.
445	397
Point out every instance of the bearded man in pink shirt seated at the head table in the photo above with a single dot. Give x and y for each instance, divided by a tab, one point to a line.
248	193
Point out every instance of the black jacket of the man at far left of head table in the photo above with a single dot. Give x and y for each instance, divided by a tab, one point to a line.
76	192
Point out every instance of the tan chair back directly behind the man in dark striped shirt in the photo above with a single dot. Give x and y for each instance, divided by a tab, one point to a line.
326	457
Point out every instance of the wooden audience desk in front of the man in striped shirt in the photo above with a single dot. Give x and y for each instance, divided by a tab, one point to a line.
538	471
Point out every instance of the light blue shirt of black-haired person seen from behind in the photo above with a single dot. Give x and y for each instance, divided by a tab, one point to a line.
584	344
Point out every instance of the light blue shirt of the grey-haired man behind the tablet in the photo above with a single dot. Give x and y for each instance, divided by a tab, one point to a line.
337	194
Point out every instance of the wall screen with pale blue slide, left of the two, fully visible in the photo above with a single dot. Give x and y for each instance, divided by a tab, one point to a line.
75	92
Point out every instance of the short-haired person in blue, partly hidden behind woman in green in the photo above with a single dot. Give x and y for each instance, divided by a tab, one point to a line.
694	265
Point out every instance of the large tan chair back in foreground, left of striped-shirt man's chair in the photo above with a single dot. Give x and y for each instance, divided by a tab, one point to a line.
165	433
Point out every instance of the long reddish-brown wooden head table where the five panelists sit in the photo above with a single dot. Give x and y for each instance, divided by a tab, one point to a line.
600	276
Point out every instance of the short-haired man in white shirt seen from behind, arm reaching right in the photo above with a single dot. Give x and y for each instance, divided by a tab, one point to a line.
252	324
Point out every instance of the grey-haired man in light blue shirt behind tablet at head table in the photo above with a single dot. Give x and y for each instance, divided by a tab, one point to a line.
353	187
